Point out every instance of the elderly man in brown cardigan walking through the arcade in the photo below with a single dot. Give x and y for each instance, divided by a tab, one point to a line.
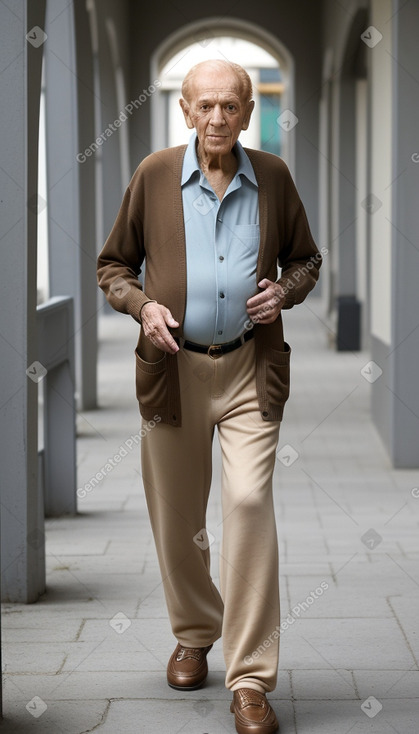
212	222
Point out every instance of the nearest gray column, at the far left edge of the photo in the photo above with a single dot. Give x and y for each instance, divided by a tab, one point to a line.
22	530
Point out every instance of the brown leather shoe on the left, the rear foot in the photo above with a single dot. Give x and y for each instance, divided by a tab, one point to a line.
188	668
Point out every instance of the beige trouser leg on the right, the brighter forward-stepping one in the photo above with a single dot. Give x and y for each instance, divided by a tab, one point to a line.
249	555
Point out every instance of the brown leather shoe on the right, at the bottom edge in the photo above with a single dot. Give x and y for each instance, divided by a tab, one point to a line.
253	713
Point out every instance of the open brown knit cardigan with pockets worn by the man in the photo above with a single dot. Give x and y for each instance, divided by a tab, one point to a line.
150	227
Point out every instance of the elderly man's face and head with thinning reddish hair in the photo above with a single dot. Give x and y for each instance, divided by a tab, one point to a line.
216	110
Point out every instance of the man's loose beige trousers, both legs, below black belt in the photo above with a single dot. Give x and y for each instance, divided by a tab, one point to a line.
177	471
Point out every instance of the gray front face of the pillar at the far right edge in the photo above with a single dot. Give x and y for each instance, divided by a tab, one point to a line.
404	392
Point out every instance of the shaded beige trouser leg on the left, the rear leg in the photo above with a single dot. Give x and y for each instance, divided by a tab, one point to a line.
176	469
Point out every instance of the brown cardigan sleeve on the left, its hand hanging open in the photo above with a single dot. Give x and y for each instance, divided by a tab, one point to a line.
119	263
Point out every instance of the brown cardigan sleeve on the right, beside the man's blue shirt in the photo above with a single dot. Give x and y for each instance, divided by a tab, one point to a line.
299	258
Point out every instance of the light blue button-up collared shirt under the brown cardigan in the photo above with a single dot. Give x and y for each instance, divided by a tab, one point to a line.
222	245
